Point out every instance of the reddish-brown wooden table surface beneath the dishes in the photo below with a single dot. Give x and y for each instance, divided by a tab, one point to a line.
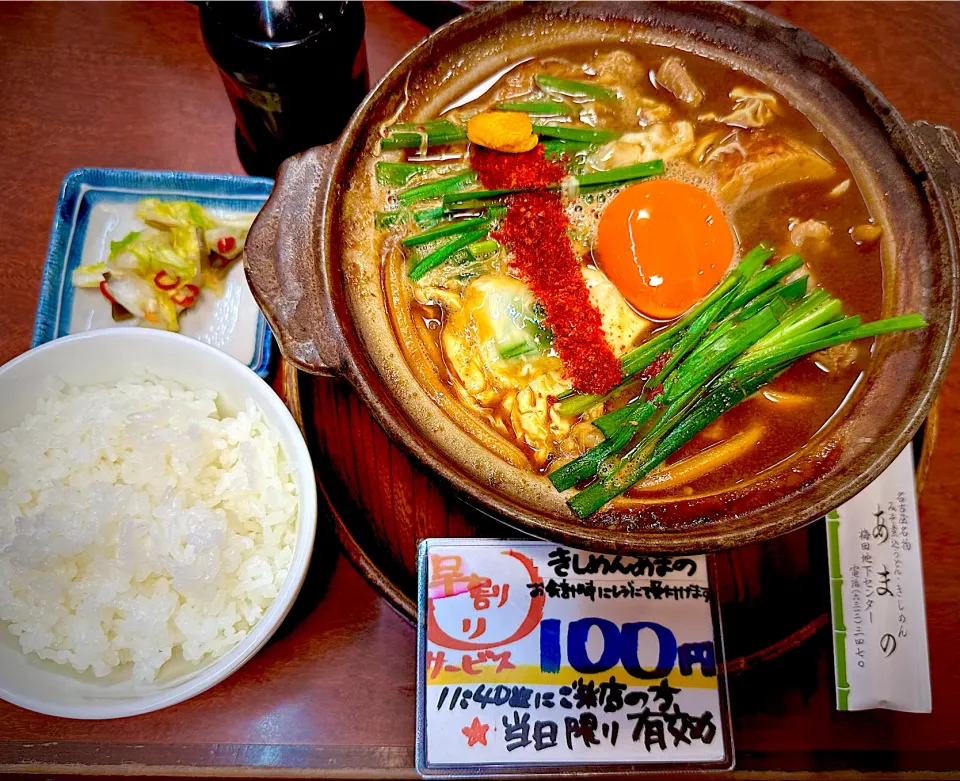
126	85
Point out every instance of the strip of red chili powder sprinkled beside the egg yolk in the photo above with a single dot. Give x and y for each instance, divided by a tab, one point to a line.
535	230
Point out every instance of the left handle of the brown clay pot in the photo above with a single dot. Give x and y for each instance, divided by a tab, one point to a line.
285	264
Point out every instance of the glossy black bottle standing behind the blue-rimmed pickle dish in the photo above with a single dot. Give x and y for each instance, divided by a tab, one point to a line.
294	72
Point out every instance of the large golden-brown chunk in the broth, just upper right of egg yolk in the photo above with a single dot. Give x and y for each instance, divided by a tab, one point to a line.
763	162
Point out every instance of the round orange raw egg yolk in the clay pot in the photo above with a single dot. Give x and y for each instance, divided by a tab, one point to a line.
664	244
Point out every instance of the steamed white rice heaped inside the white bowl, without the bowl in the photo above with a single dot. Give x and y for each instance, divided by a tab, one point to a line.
136	520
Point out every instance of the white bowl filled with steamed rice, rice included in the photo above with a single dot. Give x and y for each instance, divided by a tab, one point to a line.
157	516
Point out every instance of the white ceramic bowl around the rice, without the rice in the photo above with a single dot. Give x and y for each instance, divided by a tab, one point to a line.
107	356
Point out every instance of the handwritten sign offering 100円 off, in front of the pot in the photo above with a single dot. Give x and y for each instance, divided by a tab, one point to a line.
534	656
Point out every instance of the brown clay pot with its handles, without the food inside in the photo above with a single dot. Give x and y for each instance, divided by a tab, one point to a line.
312	268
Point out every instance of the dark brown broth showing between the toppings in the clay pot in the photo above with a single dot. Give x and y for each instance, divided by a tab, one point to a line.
837	264
